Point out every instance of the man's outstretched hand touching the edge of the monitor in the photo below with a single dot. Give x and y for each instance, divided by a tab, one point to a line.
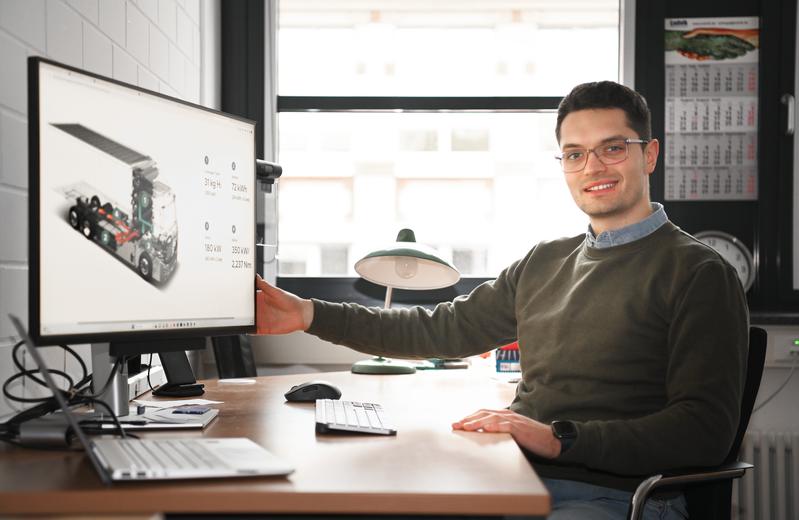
278	311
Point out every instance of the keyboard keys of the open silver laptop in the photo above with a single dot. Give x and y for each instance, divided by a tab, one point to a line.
170	454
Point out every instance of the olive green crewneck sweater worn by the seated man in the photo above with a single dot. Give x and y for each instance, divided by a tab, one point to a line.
643	345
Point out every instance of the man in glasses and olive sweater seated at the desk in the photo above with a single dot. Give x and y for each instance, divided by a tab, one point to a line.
633	336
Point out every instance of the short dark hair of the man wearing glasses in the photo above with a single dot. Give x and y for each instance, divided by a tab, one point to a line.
608	94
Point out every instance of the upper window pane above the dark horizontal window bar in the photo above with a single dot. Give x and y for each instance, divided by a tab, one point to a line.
445	48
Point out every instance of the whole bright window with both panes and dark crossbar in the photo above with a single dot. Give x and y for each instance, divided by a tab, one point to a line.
438	116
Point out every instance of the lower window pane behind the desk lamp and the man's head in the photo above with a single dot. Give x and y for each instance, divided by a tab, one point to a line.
482	188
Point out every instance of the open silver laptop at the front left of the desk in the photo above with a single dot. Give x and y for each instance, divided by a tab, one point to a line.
124	459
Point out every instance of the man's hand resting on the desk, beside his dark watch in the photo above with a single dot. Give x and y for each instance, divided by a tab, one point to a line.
529	434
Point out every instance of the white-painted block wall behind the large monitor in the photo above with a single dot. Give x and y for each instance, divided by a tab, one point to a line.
154	44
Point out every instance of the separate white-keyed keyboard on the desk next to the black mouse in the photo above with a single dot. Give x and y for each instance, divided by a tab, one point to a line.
333	415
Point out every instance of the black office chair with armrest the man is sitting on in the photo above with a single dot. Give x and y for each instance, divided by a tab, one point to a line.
708	491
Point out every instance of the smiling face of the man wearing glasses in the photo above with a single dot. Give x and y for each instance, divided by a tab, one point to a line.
611	195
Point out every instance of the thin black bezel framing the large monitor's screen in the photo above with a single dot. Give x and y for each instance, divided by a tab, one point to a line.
34	232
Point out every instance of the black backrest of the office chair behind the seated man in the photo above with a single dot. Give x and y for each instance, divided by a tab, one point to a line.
711	501
